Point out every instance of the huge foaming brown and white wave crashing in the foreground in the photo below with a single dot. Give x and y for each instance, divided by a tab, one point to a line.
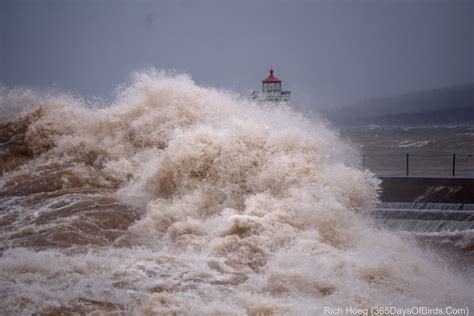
180	199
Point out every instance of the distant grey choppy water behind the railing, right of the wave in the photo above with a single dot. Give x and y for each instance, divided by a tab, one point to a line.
430	150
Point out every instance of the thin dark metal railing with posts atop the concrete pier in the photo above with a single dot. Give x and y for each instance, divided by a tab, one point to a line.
420	164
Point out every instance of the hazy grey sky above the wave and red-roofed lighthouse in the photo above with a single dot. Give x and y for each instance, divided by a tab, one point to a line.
328	52
